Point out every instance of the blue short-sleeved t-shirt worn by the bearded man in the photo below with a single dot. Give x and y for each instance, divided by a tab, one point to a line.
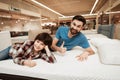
69	43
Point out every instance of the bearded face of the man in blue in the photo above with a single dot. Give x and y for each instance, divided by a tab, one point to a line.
76	27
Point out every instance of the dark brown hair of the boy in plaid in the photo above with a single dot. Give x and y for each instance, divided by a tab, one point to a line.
45	38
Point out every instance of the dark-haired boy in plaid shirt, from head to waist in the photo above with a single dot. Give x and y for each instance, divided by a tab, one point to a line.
23	53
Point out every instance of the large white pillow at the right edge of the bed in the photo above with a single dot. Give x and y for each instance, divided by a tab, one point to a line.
109	53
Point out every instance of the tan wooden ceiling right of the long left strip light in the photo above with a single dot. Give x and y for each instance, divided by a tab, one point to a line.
74	7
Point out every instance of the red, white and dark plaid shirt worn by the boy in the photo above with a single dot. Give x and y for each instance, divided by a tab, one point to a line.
23	51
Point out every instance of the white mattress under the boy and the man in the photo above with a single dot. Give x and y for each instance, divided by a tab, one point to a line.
66	68
